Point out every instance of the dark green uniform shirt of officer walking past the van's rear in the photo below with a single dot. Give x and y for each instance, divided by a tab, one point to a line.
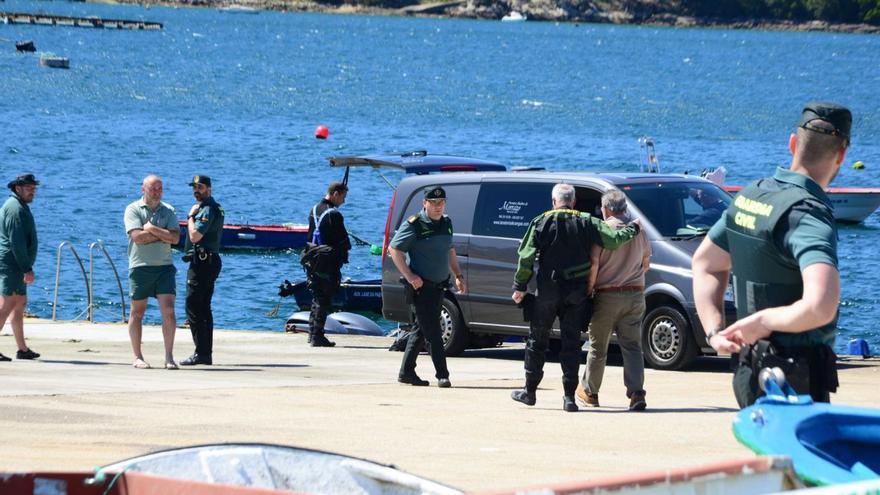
427	244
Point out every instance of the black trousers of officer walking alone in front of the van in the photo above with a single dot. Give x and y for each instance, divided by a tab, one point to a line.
427	301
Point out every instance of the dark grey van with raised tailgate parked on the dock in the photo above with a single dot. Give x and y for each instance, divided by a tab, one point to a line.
490	210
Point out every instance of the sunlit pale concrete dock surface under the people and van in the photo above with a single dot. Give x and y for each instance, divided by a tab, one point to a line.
82	405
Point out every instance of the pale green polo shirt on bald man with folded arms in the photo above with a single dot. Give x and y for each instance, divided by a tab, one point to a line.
137	214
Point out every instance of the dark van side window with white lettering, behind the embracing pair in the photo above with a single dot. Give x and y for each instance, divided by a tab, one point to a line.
505	209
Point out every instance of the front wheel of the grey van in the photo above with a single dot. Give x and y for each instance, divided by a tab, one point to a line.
667	339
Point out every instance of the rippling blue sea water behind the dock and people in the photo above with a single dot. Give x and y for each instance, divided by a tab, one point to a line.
237	97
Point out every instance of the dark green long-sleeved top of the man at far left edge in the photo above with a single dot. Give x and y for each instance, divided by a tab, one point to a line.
18	237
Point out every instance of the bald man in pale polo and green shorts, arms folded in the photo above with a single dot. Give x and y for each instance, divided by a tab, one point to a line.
152	229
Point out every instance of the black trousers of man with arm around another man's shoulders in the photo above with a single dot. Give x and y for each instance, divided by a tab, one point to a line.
567	301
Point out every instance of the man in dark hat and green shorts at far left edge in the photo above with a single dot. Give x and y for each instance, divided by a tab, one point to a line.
18	251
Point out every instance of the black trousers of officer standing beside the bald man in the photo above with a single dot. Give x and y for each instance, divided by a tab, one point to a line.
200	280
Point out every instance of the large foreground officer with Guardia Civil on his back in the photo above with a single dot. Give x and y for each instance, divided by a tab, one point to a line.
779	239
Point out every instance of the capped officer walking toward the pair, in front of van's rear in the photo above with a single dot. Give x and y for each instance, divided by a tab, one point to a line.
423	253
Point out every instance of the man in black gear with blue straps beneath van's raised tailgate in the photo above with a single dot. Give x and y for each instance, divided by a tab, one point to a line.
327	228
